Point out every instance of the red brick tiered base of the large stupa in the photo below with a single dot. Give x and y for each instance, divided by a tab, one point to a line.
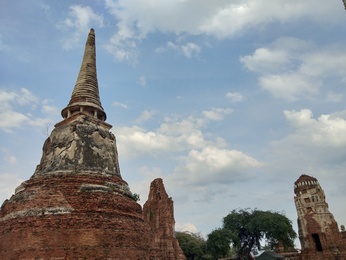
54	217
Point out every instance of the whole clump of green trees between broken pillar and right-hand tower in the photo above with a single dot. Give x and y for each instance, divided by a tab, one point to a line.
242	232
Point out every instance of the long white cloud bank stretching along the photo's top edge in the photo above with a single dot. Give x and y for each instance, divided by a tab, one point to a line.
220	18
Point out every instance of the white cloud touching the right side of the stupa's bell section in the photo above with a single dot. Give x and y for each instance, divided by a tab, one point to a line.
173	135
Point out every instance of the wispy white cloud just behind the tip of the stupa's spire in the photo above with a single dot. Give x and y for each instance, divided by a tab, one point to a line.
80	19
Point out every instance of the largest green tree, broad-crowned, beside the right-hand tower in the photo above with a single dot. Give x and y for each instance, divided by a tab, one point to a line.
249	227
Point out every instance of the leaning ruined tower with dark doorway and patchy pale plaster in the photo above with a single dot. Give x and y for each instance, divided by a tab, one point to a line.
318	231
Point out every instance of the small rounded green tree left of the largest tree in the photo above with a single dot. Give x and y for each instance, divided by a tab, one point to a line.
218	243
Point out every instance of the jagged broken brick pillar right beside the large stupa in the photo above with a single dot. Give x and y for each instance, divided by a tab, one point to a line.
158	211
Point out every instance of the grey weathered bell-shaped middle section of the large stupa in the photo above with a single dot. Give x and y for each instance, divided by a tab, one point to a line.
79	146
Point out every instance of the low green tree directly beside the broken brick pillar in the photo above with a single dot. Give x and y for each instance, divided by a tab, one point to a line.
193	245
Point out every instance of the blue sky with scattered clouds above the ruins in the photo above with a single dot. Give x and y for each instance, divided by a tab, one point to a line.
227	101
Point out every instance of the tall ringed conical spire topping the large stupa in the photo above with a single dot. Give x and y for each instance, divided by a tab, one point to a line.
85	97
